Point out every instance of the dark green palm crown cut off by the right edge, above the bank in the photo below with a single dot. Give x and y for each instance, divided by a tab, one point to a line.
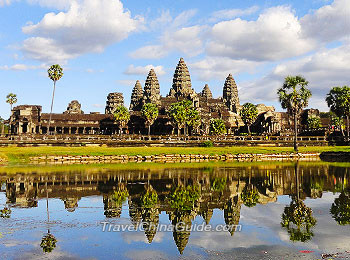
338	100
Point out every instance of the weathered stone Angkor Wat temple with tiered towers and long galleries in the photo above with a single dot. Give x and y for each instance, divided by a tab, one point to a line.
29	119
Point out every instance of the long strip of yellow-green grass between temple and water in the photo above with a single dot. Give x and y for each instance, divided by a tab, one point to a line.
22	154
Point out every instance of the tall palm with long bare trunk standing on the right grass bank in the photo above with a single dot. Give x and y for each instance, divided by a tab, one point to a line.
294	96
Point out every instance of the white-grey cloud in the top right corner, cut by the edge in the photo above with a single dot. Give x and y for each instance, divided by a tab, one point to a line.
329	23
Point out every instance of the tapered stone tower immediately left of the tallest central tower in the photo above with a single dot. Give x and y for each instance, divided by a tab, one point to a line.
151	92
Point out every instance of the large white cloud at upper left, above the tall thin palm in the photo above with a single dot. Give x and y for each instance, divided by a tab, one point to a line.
88	26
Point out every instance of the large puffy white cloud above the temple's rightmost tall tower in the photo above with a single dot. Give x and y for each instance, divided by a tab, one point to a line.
275	35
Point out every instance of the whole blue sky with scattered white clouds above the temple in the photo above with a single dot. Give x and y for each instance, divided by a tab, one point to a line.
106	45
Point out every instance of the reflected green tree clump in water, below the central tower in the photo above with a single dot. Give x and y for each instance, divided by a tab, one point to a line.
183	198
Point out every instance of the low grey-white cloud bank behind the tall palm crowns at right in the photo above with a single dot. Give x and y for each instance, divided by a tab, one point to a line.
324	69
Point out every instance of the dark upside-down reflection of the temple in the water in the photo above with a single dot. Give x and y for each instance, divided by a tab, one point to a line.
183	194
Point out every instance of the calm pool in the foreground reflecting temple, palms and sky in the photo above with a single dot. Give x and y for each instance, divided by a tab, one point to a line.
294	210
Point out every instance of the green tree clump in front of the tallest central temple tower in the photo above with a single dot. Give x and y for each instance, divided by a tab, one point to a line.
182	113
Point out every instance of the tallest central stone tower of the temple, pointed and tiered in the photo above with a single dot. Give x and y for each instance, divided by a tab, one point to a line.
182	86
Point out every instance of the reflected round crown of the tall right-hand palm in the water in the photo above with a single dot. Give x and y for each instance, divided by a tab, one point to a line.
298	220
